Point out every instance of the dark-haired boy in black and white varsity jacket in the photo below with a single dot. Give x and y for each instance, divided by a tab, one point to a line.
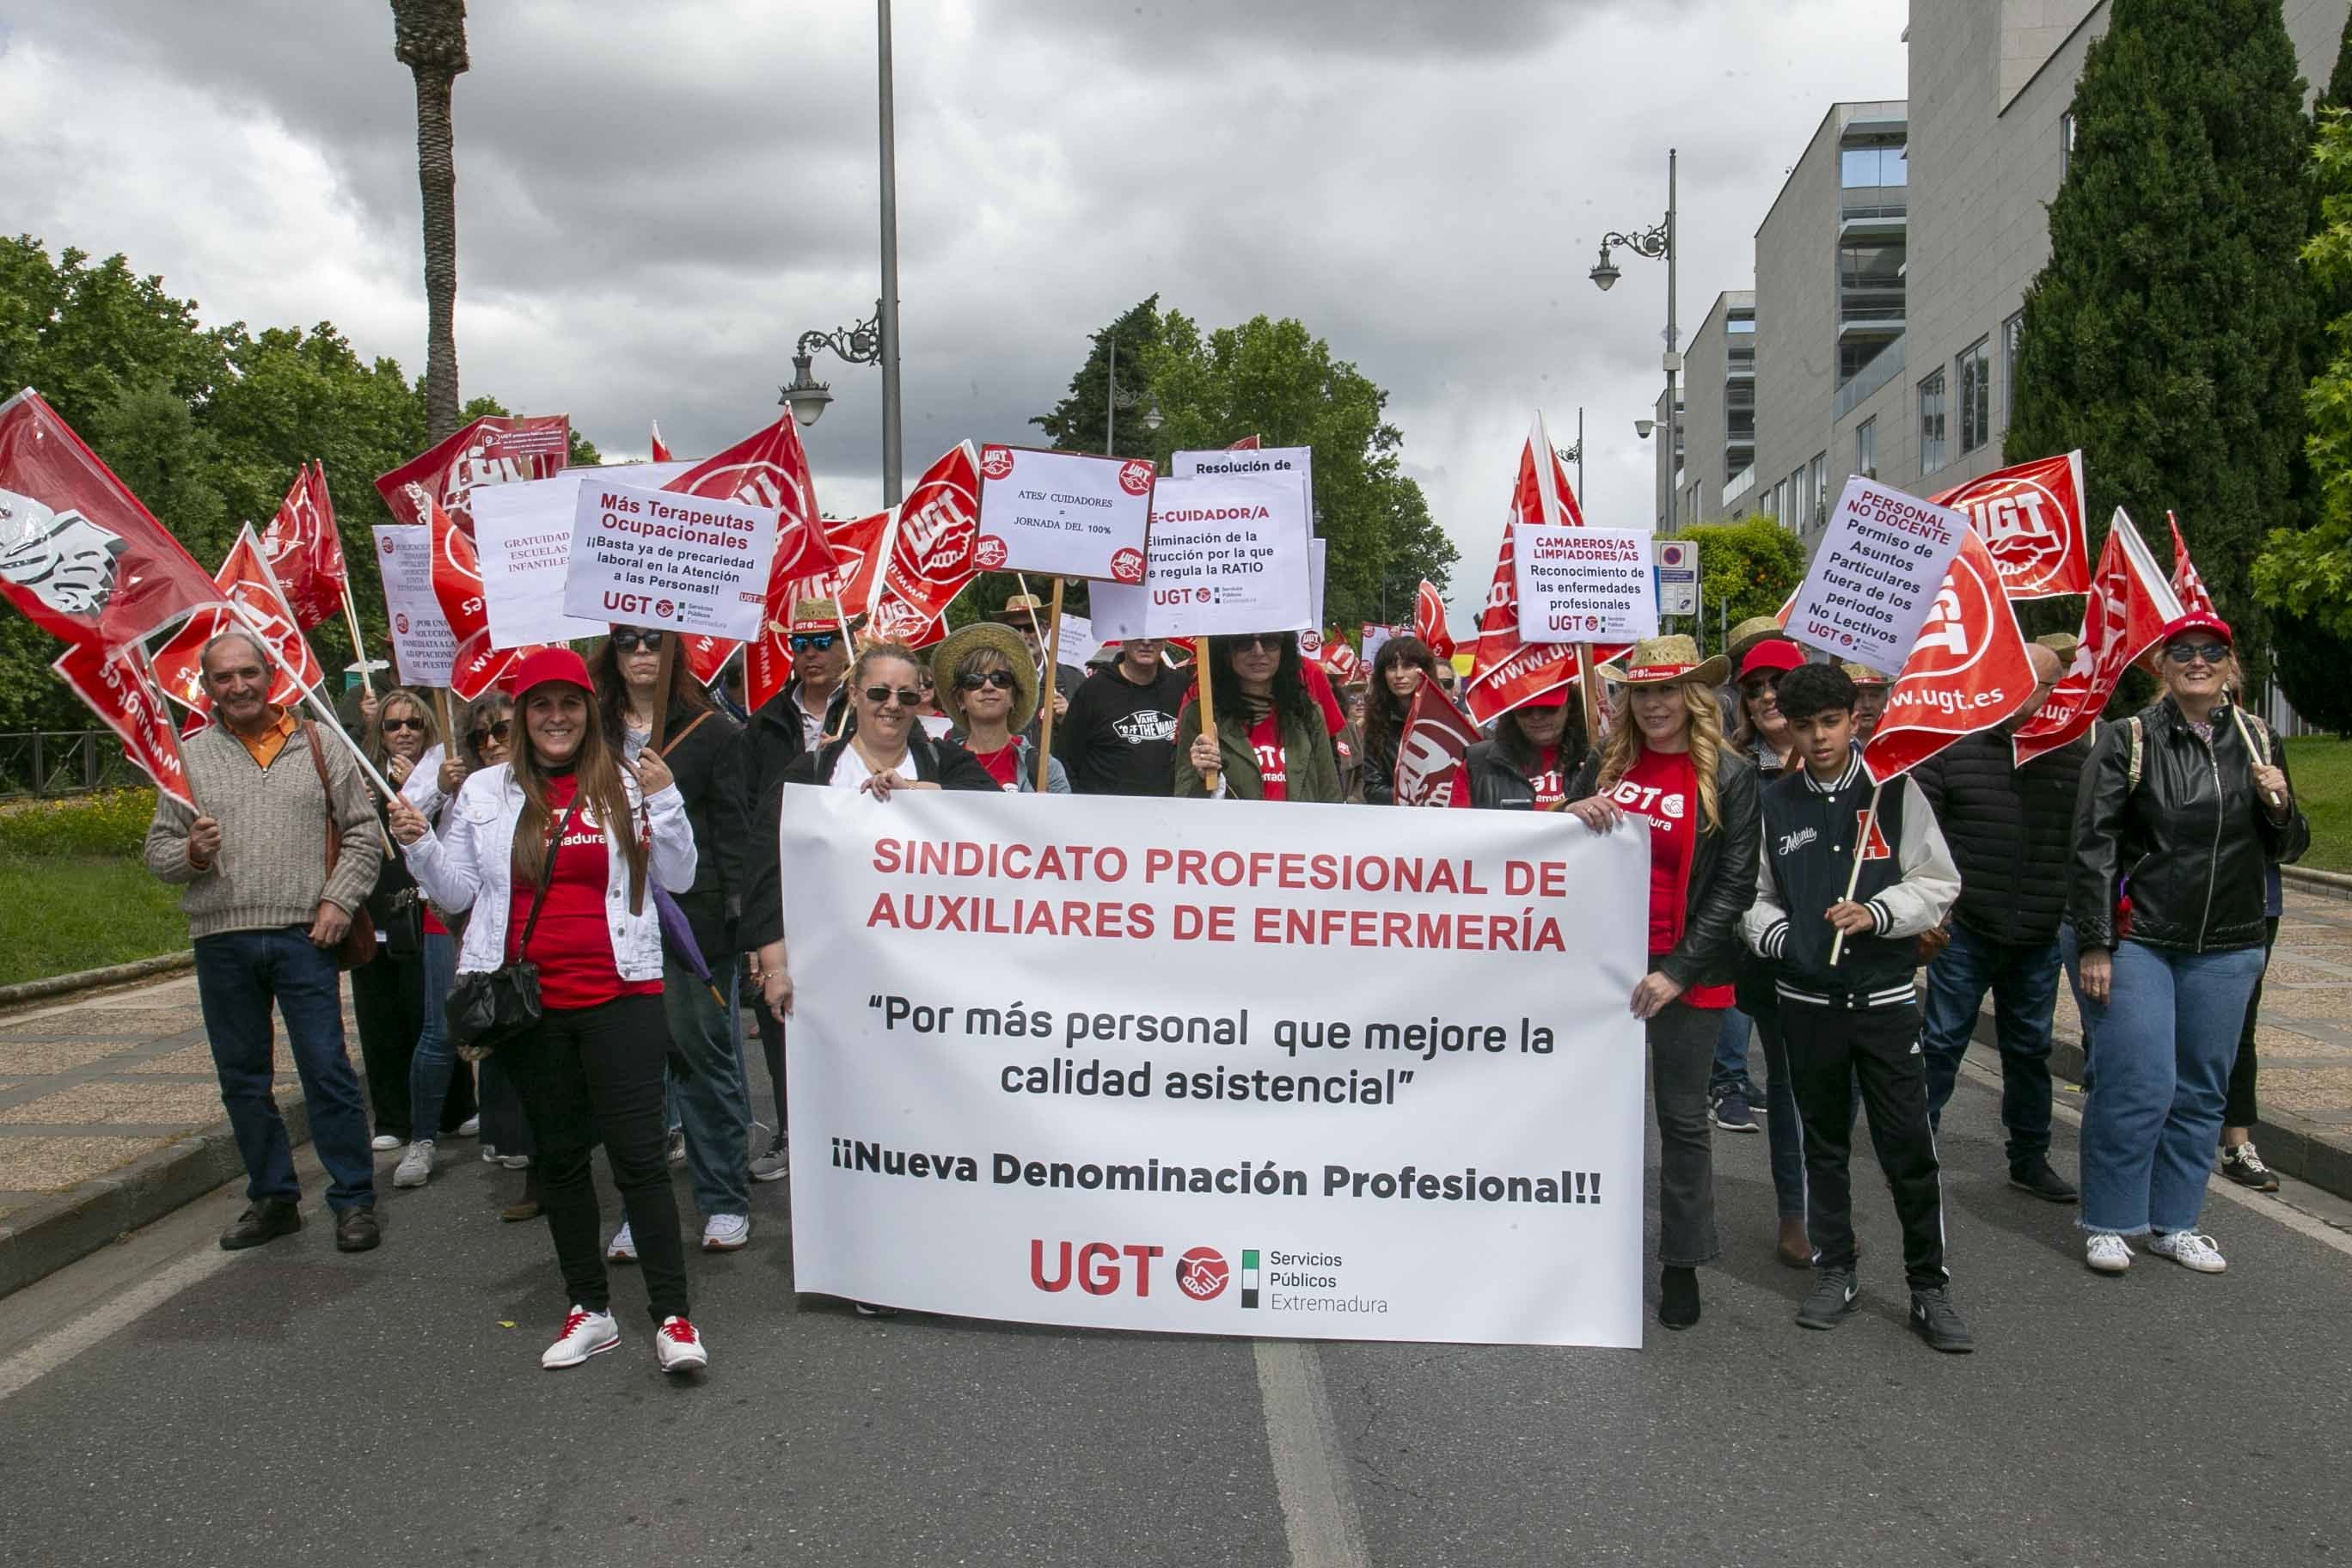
1855	1019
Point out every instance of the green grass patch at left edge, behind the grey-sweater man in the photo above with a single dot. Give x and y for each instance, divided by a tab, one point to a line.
76	911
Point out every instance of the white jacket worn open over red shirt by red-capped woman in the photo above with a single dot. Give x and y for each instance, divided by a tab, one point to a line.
472	866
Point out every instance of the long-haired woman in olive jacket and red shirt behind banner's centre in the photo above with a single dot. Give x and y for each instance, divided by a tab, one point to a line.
1271	739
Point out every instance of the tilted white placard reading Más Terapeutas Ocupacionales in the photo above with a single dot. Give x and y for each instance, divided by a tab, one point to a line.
657	558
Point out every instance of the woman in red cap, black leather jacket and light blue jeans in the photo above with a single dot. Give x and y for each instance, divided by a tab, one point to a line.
2191	812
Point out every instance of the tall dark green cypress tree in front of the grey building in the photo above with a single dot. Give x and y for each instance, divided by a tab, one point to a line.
2167	328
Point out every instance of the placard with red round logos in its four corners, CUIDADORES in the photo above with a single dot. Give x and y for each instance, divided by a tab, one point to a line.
1064	514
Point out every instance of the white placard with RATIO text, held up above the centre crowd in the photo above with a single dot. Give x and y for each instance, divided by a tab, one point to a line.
1229	558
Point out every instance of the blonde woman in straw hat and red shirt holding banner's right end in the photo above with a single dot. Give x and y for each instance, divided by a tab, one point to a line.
1666	763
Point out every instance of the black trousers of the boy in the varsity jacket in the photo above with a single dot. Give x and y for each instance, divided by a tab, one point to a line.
1831	1050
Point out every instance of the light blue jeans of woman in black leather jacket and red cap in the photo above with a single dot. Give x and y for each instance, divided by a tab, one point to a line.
2151	1125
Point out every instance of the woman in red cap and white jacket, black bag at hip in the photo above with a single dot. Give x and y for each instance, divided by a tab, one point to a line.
556	855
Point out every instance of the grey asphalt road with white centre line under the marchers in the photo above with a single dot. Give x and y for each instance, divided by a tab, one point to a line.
173	1405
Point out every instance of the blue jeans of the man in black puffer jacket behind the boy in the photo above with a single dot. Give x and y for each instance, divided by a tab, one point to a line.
2024	984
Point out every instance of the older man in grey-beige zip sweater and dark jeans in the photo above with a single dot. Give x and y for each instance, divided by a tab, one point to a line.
267	916
